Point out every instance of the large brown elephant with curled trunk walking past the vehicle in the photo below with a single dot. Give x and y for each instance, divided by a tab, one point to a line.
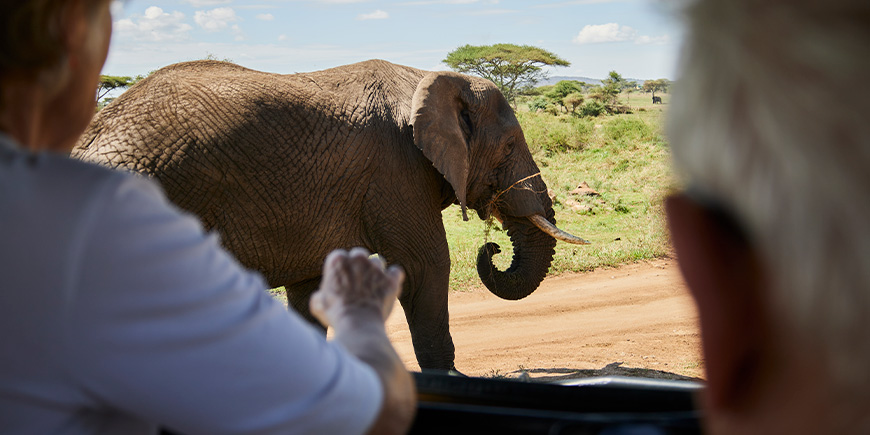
287	168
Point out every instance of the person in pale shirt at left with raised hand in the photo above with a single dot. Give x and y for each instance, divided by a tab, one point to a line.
119	314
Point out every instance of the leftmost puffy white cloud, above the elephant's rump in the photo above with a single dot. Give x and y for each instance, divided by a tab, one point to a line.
154	25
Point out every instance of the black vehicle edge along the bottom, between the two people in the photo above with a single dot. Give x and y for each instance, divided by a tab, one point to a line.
602	405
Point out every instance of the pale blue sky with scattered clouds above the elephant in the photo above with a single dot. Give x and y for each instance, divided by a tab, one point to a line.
637	38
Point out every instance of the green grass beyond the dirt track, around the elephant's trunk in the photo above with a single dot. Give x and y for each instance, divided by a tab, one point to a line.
624	157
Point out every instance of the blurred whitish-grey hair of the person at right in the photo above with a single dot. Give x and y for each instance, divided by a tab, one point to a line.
772	117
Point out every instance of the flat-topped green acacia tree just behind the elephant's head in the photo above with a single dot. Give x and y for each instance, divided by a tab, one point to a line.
511	67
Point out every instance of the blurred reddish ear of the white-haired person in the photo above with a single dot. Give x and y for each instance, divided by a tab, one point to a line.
723	274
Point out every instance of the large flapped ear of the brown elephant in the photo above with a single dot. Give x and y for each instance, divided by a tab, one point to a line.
442	127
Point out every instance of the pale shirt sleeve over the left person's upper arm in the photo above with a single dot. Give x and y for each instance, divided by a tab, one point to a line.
167	327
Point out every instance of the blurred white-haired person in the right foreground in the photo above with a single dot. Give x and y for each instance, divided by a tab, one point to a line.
770	133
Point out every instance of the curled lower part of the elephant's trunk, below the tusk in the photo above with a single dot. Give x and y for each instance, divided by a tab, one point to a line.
533	253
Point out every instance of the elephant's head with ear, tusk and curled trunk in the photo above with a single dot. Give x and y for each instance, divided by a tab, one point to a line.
469	132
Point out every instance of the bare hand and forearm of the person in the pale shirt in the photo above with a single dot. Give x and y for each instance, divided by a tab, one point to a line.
355	297
